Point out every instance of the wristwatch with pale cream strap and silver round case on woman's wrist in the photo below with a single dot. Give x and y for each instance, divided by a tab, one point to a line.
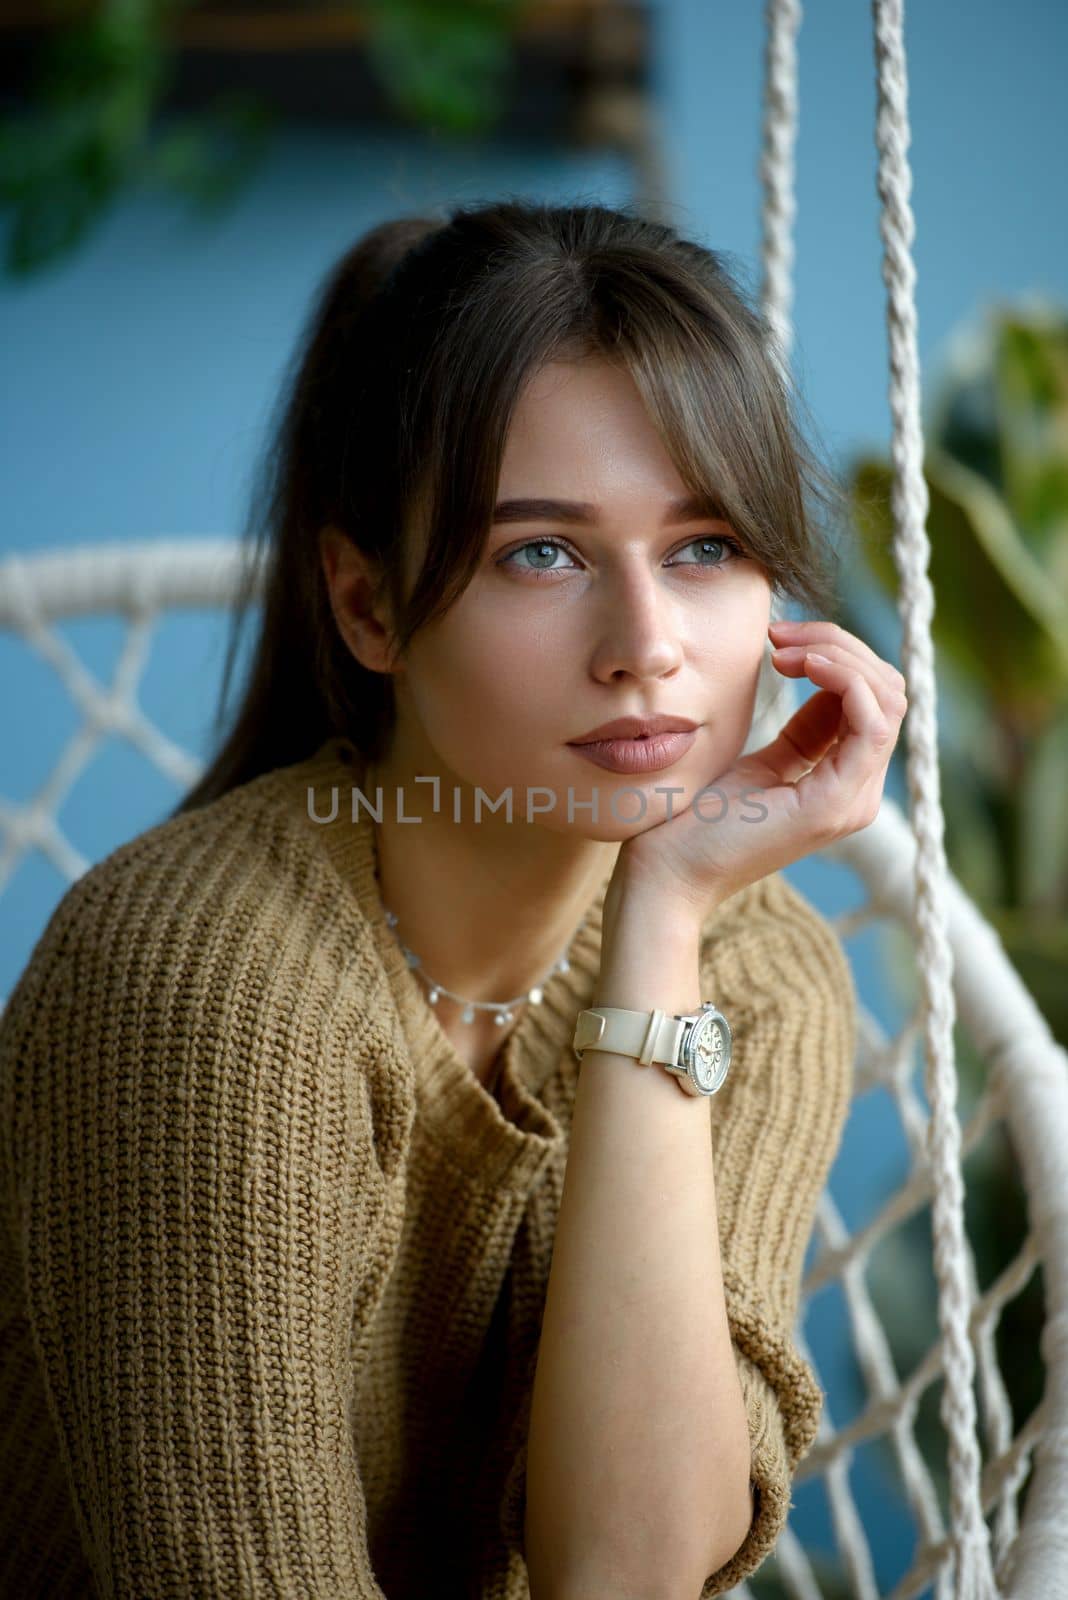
693	1047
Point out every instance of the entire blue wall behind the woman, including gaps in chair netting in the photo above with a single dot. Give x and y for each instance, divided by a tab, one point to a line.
143	374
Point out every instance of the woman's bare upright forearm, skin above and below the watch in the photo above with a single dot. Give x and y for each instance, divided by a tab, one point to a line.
639	1447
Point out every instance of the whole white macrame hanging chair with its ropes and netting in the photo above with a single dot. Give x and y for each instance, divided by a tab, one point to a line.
1022	1554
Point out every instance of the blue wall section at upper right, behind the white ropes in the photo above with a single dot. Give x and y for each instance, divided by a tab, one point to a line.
990	185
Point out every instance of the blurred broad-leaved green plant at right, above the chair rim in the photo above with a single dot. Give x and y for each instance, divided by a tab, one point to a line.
997	470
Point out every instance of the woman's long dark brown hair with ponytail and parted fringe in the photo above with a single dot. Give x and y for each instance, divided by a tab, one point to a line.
397	410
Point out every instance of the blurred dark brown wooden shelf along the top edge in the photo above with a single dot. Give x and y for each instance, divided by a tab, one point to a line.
573	70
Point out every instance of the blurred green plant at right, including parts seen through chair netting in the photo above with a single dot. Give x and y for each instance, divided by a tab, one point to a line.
997	471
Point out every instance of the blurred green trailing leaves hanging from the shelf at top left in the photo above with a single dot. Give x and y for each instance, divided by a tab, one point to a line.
90	129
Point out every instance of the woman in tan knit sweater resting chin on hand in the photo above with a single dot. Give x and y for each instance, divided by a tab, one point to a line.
346	1262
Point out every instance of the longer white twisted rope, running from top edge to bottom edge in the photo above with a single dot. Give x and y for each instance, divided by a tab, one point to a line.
912	554
